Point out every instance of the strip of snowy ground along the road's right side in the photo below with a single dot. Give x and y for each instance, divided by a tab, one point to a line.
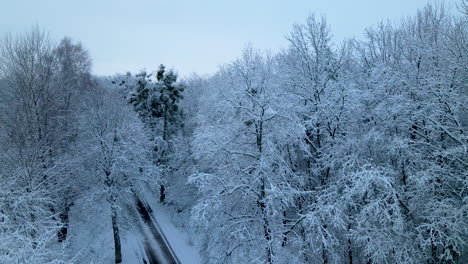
179	239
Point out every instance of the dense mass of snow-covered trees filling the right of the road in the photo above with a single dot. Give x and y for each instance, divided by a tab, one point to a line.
348	154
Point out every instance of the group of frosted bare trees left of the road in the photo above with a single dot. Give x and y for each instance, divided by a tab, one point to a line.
64	136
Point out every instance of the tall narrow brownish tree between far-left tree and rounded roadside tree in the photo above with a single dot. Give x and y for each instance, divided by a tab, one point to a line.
72	78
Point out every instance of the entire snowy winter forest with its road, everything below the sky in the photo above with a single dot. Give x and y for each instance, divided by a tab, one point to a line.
323	152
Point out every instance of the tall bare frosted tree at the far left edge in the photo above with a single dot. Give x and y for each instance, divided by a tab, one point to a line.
26	64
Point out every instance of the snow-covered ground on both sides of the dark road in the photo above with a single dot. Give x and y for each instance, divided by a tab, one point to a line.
90	238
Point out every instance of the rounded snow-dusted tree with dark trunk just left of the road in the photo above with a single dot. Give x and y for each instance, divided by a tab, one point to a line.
117	151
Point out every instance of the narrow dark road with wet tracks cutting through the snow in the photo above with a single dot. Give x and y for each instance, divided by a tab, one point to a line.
162	253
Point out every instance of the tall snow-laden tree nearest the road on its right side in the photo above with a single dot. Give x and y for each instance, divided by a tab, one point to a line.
241	147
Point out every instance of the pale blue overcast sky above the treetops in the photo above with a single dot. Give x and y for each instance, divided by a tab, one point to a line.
188	35
